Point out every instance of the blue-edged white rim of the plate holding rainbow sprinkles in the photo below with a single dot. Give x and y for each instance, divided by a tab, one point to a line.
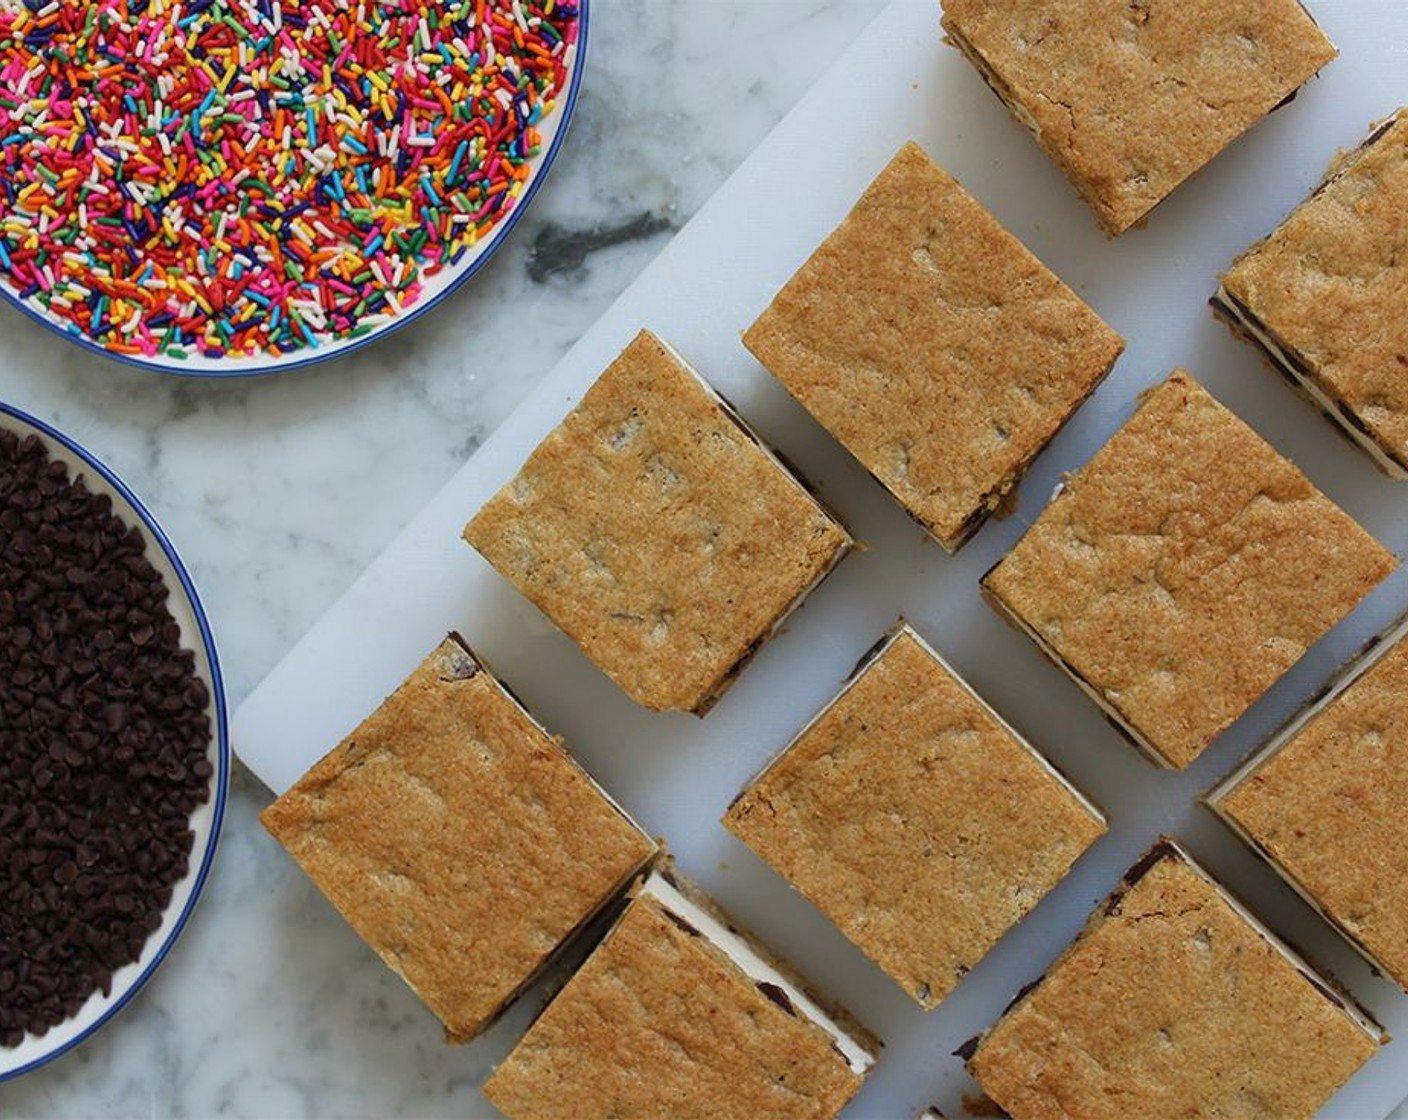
261	367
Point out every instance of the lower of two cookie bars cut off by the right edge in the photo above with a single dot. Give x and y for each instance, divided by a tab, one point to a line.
1324	805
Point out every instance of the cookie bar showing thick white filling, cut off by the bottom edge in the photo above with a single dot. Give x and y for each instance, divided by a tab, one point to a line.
681	1015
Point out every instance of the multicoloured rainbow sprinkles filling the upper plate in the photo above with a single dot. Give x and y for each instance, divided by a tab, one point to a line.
239	178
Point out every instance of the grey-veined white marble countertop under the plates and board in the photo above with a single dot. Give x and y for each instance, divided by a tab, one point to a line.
279	491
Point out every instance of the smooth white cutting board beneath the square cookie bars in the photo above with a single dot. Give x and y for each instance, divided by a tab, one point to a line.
678	774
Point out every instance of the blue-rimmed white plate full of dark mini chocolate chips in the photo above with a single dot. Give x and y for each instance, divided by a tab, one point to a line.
115	759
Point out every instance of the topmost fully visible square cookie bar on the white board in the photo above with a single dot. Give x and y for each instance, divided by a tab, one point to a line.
934	347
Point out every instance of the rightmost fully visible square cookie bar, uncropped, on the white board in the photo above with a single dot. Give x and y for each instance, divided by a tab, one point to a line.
1183	571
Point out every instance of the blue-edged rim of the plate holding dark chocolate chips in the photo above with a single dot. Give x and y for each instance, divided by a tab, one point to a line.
222	787
